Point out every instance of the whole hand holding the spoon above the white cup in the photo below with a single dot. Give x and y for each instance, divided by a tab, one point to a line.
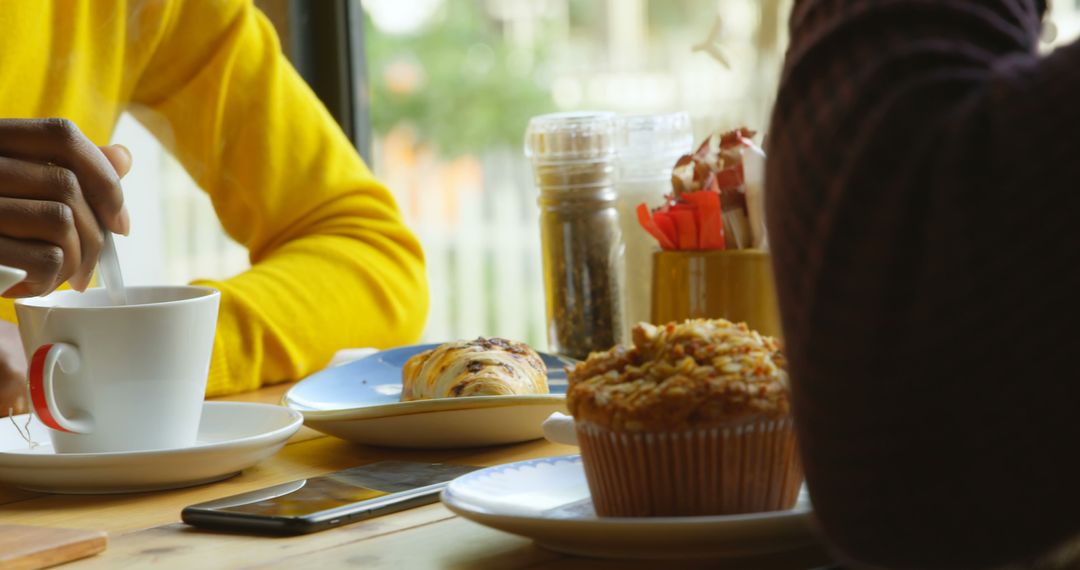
58	191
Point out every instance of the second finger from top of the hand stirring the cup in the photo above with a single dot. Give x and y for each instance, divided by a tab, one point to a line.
43	182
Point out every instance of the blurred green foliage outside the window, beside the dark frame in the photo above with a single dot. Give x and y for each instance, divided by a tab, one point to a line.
470	91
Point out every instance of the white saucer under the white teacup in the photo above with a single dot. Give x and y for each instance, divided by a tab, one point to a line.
233	437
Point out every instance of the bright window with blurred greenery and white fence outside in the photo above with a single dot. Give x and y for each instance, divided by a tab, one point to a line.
452	86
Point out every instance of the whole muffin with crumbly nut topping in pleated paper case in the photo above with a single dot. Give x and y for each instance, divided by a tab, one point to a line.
694	419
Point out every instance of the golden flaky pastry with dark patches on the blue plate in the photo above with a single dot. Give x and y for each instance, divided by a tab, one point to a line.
482	368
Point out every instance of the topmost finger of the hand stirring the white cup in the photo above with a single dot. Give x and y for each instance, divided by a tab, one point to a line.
60	142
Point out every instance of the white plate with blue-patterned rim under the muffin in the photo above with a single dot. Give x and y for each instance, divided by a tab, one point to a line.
548	501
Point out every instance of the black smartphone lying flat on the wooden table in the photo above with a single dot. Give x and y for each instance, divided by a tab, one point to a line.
319	504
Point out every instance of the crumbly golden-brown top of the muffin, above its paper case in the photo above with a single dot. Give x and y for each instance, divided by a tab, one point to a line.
697	374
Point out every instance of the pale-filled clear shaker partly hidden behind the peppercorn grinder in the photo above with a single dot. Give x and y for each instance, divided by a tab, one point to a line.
649	146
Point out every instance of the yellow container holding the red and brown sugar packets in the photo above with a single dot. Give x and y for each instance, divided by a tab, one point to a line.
735	284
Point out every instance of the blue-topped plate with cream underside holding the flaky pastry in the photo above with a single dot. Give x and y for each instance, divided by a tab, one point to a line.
360	402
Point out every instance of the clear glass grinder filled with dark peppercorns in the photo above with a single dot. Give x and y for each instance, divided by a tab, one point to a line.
574	164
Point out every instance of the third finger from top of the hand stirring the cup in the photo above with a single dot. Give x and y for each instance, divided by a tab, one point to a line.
45	222
